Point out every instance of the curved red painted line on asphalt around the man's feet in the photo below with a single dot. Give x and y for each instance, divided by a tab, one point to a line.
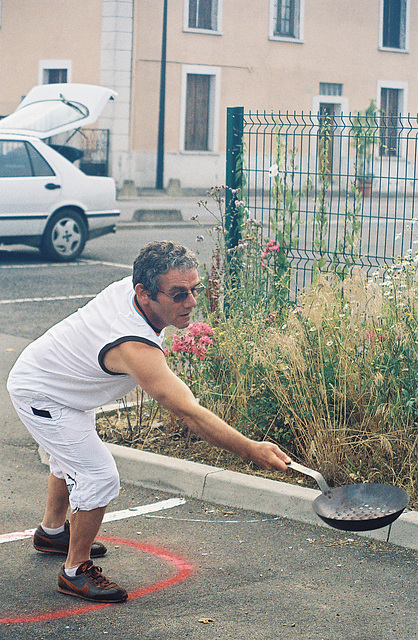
184	570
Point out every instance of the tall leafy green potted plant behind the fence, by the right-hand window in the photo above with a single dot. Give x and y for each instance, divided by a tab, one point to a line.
365	132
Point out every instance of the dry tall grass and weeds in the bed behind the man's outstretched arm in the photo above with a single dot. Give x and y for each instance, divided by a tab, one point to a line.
335	384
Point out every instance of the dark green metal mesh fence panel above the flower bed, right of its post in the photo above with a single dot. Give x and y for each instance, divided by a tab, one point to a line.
341	188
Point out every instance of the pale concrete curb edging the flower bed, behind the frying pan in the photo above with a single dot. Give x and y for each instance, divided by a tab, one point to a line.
241	491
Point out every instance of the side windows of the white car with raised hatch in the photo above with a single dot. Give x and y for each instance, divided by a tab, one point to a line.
20	159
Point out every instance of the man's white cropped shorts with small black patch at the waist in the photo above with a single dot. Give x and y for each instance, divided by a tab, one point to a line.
77	454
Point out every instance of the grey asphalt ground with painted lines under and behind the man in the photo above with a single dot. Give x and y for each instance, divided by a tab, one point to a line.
197	570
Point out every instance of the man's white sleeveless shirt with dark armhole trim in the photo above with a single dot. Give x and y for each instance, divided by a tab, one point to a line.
66	363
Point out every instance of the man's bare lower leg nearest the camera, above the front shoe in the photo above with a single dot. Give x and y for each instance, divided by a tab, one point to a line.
84	527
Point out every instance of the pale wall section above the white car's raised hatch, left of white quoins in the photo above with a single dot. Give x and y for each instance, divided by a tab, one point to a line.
34	31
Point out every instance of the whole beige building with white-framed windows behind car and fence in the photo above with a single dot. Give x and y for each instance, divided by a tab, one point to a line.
267	55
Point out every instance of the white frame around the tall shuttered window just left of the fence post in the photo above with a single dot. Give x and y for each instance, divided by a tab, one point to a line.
214	107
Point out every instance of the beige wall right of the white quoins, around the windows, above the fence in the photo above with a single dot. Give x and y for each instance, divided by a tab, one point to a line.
340	44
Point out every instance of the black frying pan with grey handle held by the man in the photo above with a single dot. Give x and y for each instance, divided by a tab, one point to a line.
356	507
